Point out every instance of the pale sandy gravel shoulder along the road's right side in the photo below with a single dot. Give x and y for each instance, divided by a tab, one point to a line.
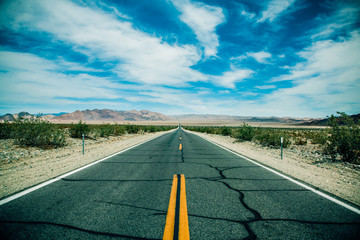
305	163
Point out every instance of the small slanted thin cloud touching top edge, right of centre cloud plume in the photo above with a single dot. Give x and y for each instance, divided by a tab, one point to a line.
274	9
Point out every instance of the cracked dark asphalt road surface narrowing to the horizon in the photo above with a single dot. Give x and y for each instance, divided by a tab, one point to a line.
127	196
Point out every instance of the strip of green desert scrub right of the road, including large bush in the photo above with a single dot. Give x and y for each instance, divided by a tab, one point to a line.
341	141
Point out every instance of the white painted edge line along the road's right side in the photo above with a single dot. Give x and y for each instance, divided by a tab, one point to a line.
290	179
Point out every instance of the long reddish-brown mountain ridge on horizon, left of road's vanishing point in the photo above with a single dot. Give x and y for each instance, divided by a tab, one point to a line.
111	115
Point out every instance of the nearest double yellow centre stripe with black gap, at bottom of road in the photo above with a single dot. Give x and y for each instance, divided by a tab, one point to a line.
177	224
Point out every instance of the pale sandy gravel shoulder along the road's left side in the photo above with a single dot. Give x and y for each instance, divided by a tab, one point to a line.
21	168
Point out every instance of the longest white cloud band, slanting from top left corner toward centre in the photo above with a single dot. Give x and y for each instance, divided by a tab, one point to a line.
142	58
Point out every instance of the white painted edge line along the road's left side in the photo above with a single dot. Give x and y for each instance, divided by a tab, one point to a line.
41	185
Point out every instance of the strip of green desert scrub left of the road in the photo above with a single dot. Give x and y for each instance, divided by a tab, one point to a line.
43	134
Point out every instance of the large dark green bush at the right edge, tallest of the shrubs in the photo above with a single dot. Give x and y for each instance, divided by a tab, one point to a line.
344	139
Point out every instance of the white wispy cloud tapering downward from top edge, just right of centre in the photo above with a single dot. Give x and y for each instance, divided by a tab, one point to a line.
203	20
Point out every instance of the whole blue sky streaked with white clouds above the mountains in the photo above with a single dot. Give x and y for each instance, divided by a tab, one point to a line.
251	58
